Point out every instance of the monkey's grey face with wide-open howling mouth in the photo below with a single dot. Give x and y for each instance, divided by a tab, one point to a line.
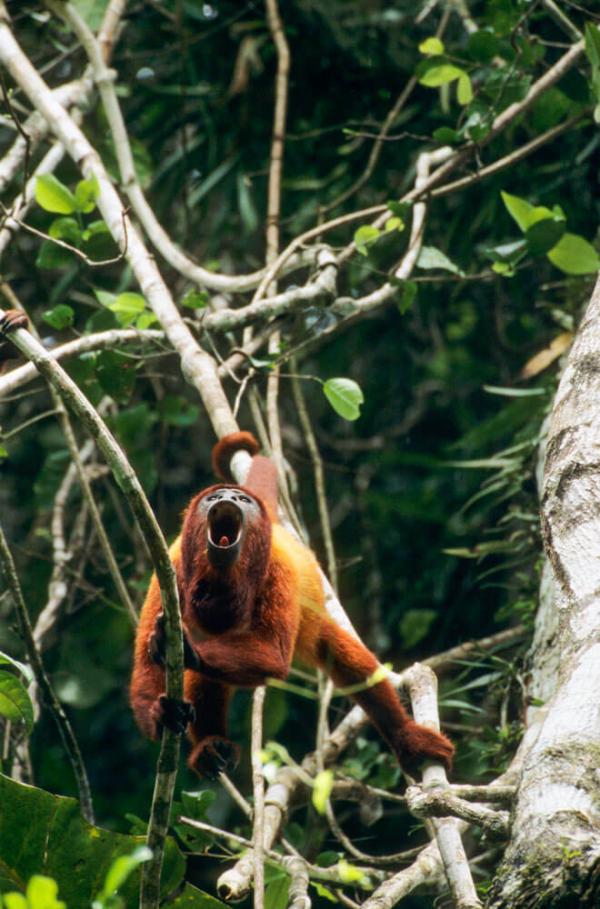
227	513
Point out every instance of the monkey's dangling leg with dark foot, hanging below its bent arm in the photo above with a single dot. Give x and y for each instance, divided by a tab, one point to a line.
212	751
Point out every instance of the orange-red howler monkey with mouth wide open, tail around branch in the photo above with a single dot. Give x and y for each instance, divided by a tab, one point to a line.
251	601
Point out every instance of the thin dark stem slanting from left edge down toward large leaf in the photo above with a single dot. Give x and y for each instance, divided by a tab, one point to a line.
66	732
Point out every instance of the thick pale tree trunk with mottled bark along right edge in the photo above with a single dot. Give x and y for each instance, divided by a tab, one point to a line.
553	857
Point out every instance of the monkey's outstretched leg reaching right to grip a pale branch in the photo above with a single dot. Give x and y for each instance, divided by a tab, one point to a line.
348	662
